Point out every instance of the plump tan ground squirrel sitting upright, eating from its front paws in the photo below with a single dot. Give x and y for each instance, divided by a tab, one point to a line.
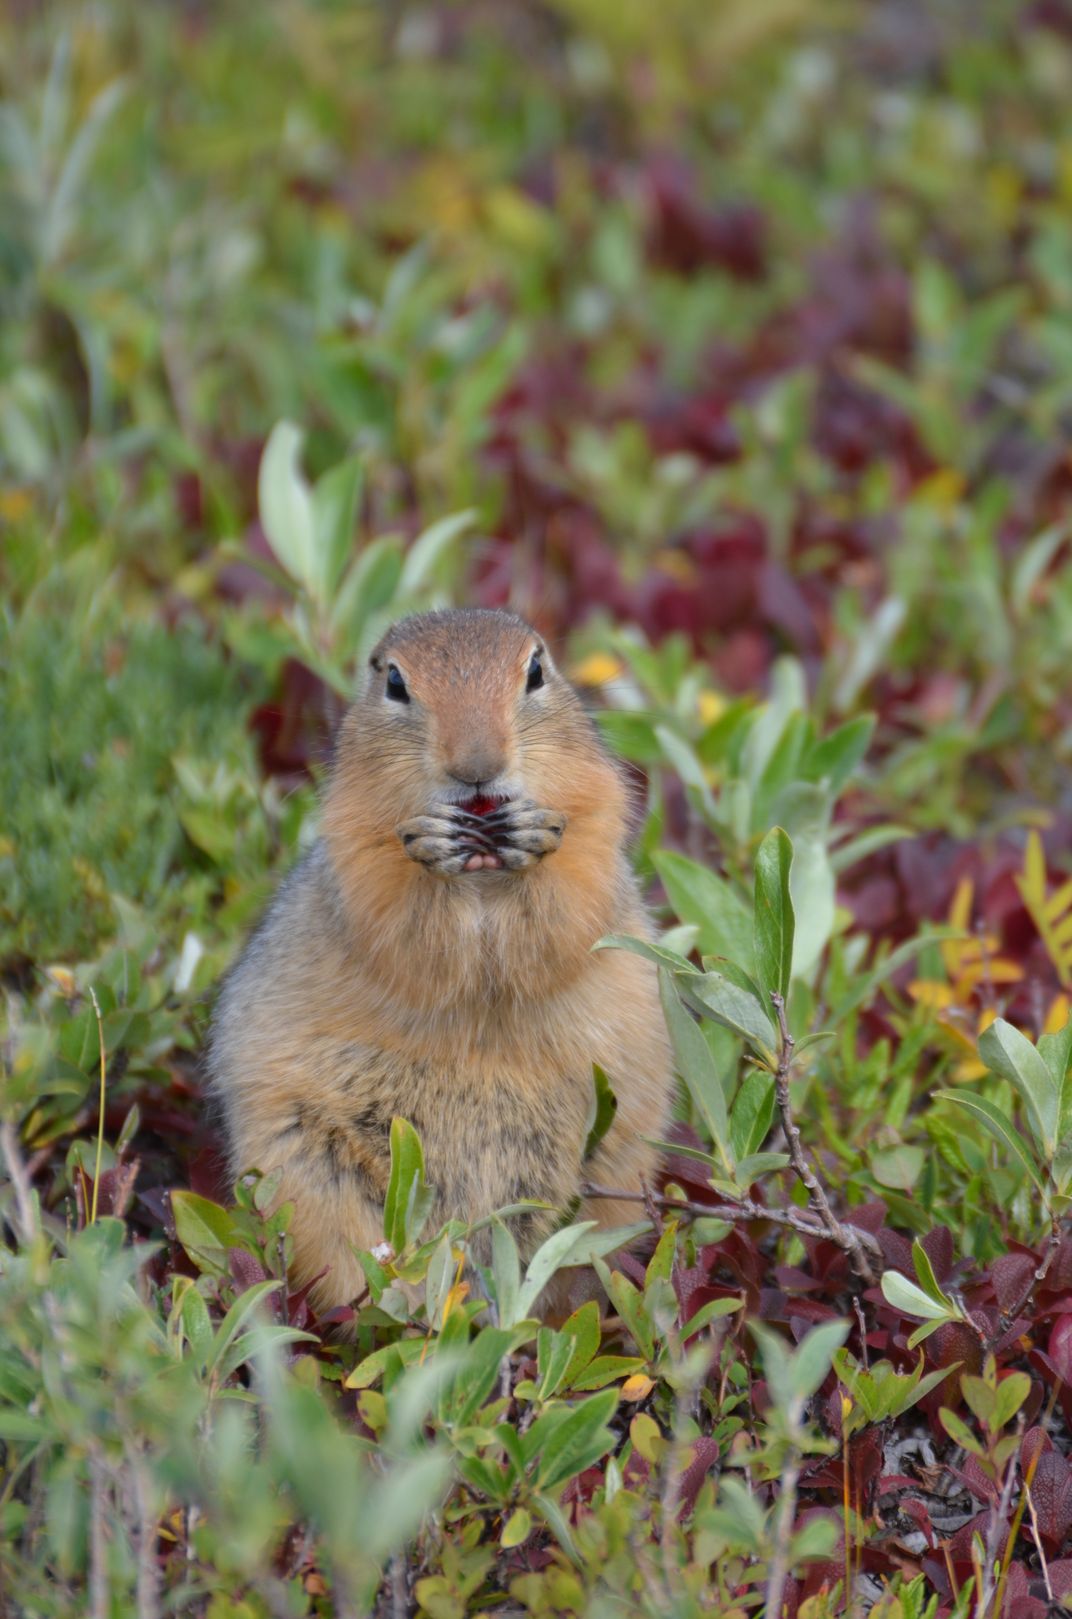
432	958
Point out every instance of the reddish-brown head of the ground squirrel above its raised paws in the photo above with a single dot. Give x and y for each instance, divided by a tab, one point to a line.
467	708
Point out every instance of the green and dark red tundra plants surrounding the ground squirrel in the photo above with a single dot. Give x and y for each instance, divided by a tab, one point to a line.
734	344
